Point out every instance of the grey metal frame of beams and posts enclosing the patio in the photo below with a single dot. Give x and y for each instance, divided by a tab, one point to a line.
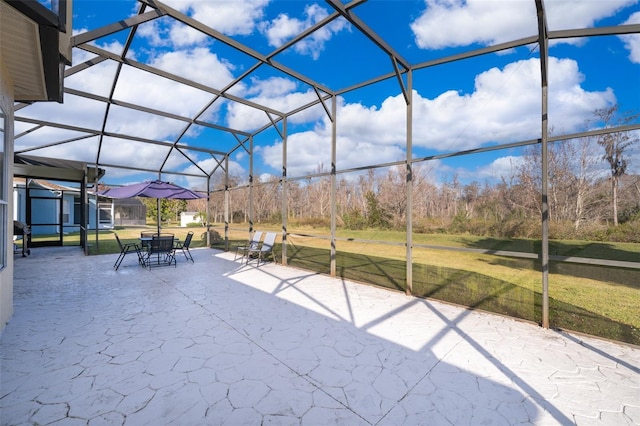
401	70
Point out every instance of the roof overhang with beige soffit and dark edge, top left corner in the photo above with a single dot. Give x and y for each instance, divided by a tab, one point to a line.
30	44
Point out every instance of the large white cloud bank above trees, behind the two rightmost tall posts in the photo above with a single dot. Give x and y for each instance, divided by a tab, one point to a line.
504	106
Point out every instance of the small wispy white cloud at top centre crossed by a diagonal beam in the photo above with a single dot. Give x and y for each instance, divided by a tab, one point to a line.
283	28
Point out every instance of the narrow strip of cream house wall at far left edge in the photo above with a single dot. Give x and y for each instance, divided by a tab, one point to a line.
6	273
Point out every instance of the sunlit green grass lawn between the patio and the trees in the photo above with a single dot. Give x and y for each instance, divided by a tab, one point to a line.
597	300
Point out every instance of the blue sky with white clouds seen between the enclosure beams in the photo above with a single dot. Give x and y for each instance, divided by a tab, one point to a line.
484	101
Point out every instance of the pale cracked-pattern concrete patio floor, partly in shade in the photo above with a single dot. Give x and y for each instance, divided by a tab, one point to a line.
220	342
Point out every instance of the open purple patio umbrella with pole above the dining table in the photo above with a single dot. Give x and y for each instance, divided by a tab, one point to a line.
152	189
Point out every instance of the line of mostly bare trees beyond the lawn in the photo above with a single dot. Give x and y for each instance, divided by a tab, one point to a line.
591	194
